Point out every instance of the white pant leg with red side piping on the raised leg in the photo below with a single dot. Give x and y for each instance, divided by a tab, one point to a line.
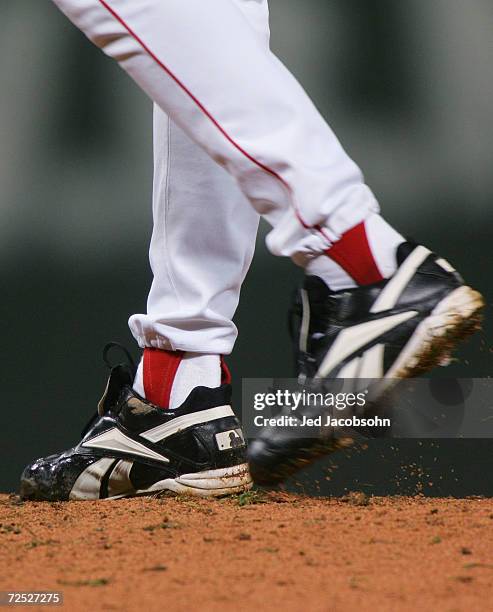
203	65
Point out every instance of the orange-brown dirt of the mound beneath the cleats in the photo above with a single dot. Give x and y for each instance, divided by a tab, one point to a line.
253	552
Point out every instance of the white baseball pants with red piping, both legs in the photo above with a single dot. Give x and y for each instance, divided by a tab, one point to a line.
223	101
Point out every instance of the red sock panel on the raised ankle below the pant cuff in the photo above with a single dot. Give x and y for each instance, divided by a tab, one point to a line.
352	252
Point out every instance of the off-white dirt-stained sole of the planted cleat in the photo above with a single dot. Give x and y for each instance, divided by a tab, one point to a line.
211	483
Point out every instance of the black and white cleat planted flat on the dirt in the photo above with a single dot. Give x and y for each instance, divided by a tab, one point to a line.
132	447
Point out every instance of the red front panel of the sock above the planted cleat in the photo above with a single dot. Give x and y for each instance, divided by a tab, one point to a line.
159	371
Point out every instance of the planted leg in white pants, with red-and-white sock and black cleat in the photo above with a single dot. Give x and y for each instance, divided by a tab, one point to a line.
202	244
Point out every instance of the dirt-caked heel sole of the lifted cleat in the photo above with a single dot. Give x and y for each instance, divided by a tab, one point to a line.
453	320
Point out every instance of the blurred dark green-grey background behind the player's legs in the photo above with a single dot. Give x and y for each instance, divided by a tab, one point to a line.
406	86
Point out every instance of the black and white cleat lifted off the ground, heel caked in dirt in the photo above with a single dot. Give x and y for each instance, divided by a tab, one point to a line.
398	328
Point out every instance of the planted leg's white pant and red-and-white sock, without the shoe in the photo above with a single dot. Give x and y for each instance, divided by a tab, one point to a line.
195	291
